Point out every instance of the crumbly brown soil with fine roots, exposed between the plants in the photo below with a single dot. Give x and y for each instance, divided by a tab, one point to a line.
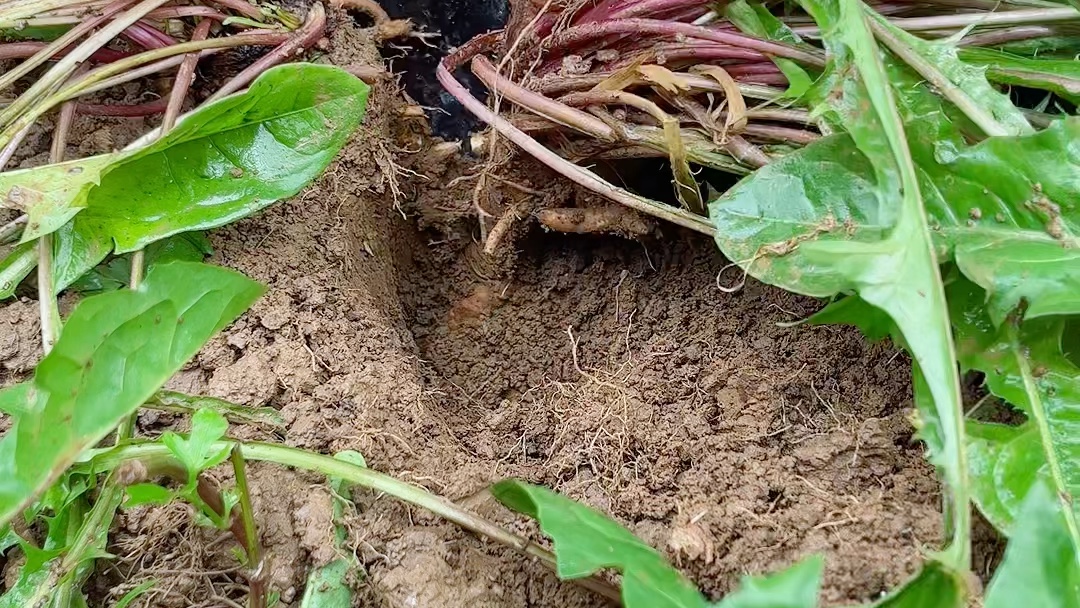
611	370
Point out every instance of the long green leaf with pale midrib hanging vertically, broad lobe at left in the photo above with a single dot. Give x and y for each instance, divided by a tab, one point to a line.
845	215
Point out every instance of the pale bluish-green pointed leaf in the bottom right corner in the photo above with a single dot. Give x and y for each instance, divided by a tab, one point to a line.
1042	568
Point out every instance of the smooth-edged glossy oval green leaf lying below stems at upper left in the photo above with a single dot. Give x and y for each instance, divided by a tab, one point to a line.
232	158
